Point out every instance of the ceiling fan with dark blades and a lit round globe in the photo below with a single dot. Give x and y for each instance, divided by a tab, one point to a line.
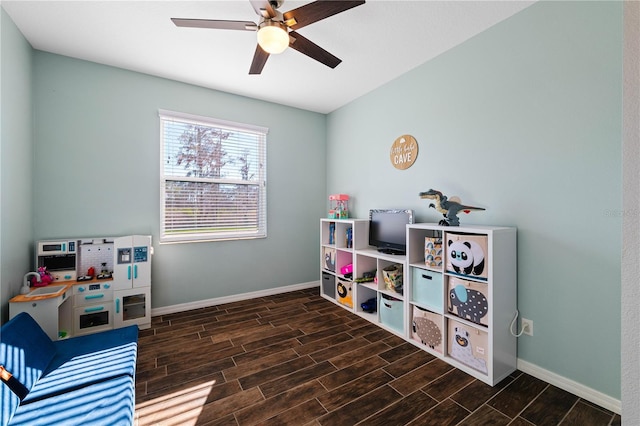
277	31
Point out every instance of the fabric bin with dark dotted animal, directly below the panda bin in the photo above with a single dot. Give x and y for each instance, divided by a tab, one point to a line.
468	300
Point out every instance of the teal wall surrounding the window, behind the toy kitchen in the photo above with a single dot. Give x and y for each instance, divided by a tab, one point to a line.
96	171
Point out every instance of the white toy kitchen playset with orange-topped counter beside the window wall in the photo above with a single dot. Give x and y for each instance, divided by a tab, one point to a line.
90	285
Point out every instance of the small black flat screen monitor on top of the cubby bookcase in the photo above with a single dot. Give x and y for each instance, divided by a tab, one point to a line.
388	230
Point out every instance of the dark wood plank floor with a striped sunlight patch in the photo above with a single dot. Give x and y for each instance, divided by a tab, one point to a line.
298	359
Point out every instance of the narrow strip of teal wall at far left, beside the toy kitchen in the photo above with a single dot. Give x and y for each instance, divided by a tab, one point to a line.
16	160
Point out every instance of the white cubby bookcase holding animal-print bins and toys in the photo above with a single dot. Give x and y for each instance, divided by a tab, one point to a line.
459	291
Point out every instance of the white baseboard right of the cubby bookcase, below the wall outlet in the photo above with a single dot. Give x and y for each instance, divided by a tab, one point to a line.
598	398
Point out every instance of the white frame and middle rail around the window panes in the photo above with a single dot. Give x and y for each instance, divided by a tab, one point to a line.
260	182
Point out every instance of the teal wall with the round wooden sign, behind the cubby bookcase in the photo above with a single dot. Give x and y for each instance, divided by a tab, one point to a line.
525	120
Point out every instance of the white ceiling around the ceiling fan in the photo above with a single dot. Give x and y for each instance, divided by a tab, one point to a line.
377	42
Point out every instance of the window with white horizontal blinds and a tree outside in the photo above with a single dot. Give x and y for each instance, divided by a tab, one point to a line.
212	179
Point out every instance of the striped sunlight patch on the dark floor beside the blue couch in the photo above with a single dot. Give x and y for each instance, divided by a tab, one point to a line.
178	408
